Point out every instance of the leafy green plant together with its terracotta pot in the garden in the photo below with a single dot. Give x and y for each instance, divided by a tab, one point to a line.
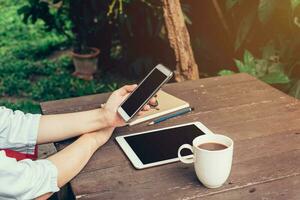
57	15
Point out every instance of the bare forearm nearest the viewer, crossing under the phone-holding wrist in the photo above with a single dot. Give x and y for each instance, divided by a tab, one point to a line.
72	159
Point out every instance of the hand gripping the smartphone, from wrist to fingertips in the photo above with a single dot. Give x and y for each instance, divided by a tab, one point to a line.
115	100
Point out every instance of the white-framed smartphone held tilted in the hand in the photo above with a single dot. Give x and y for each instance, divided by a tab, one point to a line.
144	91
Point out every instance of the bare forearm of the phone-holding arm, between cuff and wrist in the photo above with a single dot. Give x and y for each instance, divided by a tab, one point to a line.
62	126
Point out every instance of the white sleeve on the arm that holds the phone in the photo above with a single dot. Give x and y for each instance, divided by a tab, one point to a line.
18	131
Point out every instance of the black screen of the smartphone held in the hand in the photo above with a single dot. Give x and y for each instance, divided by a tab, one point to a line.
142	93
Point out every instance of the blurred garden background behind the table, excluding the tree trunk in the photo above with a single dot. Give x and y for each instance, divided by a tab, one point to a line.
46	54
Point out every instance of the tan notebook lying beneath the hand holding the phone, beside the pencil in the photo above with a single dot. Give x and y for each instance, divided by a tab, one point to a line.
167	103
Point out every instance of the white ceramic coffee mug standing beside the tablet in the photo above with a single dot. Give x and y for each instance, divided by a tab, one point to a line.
212	166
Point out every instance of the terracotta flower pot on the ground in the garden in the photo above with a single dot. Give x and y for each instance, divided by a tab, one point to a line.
86	64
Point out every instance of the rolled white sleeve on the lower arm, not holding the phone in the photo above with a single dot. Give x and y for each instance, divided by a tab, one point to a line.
26	179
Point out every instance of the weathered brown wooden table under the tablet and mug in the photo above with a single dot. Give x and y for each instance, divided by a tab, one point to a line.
264	123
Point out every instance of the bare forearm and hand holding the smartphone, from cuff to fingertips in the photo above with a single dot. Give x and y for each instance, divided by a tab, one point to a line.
78	123
